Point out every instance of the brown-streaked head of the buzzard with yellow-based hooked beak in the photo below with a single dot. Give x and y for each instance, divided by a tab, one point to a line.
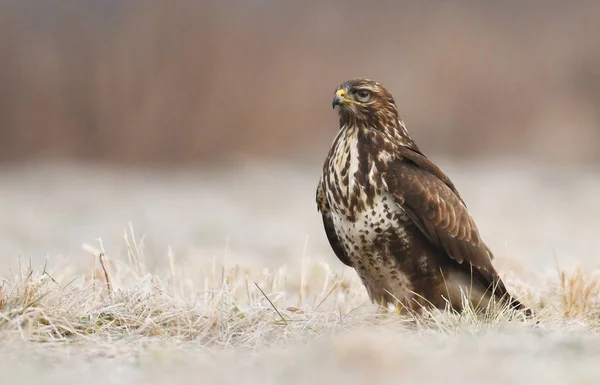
364	100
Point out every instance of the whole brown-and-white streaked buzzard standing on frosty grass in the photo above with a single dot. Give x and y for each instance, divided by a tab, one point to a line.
395	217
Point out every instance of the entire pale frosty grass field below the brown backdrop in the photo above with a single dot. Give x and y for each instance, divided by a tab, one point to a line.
226	278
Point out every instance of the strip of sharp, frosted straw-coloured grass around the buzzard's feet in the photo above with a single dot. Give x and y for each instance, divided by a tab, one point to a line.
121	299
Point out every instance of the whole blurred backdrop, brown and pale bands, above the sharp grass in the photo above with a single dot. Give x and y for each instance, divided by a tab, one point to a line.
99	98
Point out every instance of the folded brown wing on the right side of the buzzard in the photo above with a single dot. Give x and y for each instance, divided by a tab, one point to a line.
431	201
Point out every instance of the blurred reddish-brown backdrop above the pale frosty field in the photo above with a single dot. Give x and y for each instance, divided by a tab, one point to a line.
195	81
